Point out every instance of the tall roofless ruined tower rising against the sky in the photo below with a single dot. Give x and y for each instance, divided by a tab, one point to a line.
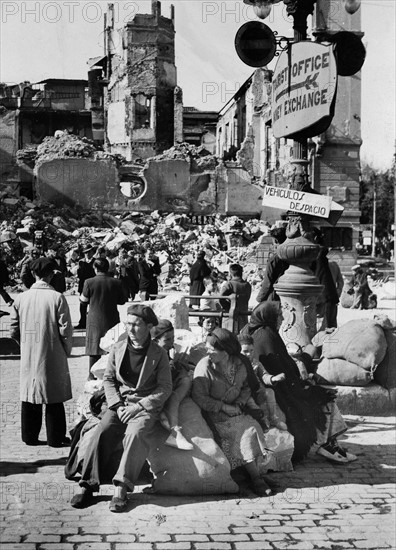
141	85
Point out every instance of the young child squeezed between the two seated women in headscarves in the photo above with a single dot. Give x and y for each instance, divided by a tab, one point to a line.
273	415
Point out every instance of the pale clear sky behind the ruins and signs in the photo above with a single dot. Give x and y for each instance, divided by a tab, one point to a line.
54	39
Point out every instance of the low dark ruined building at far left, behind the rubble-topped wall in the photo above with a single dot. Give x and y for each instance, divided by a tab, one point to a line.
30	112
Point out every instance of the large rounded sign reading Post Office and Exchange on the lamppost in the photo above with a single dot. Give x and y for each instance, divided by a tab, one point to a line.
303	88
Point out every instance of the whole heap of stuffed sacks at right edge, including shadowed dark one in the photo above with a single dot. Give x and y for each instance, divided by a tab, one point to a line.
359	352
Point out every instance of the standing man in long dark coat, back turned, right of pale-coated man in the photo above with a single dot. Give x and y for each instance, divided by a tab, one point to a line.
102	293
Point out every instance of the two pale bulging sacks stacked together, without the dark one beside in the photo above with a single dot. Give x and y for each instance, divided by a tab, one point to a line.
351	353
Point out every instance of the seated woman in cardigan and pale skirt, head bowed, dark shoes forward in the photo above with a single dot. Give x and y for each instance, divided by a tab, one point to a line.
221	389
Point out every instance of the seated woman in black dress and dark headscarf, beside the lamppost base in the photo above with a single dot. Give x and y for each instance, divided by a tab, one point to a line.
311	414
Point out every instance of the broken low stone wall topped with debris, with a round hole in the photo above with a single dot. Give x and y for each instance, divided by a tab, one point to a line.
184	179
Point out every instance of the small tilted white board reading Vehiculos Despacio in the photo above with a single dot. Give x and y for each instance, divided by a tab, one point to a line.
297	201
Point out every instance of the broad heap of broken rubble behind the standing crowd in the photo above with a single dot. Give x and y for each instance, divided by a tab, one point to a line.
175	237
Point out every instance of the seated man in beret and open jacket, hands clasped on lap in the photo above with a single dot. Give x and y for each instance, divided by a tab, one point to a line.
137	382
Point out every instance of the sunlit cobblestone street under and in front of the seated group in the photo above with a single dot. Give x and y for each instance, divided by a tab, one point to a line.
318	506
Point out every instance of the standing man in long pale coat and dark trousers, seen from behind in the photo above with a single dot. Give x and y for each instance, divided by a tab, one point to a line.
42	324
